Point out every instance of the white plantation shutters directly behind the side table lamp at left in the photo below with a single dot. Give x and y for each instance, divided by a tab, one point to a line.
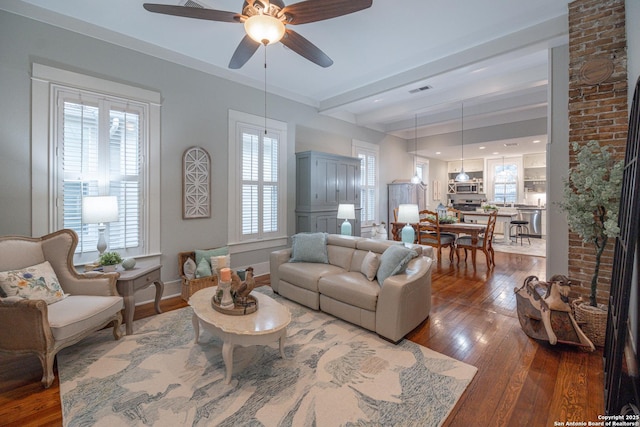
100	145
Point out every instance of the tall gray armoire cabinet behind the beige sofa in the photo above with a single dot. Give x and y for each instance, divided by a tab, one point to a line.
323	181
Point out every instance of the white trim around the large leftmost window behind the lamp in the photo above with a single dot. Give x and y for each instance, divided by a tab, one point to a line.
43	167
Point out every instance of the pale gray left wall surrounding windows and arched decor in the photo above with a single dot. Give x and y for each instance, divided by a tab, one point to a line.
194	112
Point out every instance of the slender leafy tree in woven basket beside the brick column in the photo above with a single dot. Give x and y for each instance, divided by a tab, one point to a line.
592	201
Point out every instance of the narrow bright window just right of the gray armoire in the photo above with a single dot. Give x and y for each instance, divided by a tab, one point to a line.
368	155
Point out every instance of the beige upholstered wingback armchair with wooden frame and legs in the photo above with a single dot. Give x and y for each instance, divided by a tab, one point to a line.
32	325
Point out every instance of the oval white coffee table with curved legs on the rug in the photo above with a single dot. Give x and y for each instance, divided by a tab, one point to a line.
264	326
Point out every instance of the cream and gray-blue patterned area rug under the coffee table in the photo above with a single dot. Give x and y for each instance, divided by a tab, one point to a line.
334	374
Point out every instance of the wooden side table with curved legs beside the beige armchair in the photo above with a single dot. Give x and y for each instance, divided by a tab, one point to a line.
131	281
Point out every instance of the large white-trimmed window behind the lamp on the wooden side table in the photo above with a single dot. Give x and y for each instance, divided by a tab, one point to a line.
97	145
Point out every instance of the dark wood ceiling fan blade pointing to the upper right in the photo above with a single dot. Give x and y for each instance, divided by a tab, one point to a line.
315	10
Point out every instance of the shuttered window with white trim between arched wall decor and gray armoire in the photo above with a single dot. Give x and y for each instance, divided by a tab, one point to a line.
257	185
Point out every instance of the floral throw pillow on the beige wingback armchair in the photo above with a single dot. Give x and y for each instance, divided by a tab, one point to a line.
35	282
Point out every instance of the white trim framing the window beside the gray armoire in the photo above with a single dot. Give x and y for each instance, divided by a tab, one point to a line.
234	239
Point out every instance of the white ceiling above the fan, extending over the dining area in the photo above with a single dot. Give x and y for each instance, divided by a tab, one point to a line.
488	55
